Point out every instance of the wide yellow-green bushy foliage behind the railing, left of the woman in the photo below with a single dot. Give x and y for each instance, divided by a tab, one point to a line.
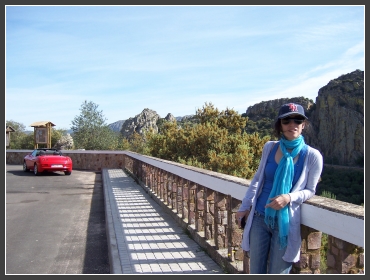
214	141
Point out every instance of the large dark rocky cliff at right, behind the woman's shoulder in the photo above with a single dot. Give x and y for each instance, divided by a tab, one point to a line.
338	119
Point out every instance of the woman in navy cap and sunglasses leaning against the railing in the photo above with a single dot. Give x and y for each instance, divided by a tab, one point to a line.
287	176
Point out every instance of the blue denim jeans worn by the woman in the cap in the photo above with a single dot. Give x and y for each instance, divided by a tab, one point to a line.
265	253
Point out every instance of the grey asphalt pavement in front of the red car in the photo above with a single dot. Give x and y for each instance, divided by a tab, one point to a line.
55	224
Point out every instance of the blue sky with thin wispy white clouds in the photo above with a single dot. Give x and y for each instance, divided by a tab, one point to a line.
172	59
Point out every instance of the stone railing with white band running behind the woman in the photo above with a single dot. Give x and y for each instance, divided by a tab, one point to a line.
205	202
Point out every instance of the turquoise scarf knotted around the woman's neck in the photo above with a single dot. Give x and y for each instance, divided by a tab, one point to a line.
283	181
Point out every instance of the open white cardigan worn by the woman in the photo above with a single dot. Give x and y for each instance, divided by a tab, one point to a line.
304	189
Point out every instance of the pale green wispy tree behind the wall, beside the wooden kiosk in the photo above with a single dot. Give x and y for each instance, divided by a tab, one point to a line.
90	132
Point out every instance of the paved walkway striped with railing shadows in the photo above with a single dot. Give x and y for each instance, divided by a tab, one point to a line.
142	237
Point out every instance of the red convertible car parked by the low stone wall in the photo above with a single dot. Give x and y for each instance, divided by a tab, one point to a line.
47	160
